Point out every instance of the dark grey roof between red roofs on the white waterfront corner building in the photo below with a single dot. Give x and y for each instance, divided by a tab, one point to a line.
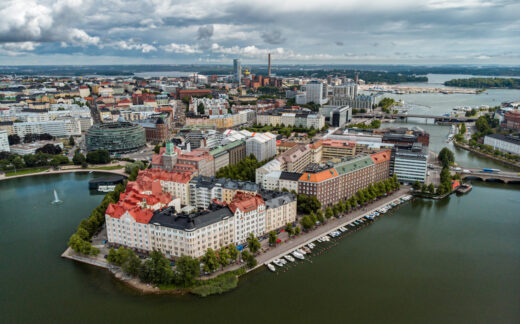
189	222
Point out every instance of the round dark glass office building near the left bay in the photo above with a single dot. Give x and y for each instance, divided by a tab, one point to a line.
120	137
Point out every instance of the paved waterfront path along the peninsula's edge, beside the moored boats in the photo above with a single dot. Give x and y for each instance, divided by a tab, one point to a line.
262	259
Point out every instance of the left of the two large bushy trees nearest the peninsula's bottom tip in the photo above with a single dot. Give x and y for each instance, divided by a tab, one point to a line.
156	269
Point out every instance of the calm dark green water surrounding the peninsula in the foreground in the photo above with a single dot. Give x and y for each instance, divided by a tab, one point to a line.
454	261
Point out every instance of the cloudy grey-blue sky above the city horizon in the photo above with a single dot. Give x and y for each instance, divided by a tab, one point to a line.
294	31
